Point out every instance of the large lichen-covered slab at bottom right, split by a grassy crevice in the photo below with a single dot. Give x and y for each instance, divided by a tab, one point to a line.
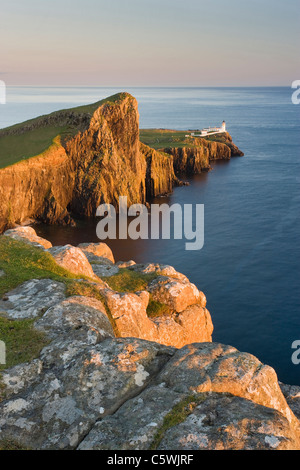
201	419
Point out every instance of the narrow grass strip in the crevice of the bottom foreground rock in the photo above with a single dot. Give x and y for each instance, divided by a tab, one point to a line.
176	416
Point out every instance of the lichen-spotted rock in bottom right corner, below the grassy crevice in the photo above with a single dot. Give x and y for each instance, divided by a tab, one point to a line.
225	422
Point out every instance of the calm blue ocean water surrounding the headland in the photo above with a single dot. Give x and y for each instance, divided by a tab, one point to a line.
249	267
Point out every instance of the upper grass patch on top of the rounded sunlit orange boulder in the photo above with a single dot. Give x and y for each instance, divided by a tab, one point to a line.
127	280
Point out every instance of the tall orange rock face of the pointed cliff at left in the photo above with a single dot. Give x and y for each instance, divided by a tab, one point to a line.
100	161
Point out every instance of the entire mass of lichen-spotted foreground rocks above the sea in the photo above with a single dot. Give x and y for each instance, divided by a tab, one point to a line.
129	363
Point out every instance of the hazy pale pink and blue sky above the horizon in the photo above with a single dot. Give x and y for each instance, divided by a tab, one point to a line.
149	42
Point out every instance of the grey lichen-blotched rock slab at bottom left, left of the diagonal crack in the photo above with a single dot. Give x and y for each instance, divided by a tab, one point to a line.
79	388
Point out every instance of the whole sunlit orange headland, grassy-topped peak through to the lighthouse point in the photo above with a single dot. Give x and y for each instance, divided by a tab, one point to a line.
67	163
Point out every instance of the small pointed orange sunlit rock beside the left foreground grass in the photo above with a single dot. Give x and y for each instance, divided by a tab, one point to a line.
73	259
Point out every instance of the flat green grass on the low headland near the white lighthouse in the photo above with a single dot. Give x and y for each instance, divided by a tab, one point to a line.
165	138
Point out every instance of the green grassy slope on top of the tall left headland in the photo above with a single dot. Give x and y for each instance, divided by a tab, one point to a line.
17	145
